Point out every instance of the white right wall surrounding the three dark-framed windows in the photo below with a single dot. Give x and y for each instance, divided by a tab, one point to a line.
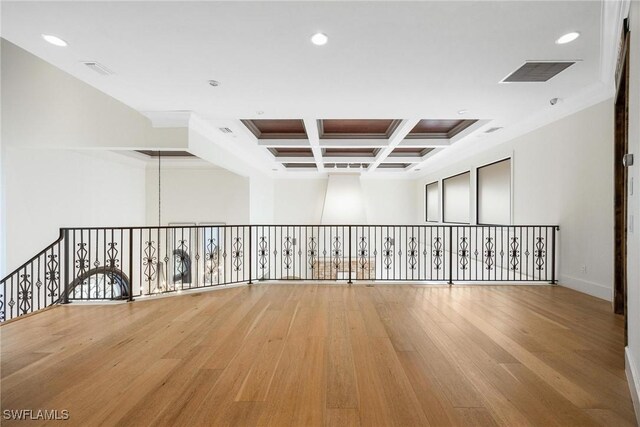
562	174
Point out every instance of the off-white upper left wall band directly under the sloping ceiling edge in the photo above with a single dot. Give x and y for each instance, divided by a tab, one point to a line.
42	106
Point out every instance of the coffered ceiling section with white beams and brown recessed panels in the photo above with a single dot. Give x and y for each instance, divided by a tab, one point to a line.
354	144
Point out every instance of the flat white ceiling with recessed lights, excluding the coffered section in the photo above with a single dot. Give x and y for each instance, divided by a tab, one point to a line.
397	60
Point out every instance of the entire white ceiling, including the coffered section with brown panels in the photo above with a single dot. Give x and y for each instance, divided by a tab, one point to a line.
399	87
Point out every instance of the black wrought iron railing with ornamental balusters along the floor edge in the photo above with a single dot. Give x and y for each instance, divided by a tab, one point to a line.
123	263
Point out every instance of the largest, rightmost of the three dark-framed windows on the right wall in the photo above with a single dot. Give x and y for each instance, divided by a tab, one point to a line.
494	193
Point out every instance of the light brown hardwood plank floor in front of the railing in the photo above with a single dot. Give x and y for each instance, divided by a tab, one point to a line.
292	354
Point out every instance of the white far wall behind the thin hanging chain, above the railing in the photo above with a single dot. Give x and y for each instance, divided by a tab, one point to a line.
196	194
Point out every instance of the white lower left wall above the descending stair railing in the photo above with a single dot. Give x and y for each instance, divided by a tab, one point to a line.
48	189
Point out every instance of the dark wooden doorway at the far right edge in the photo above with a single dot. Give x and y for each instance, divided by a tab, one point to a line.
620	177
